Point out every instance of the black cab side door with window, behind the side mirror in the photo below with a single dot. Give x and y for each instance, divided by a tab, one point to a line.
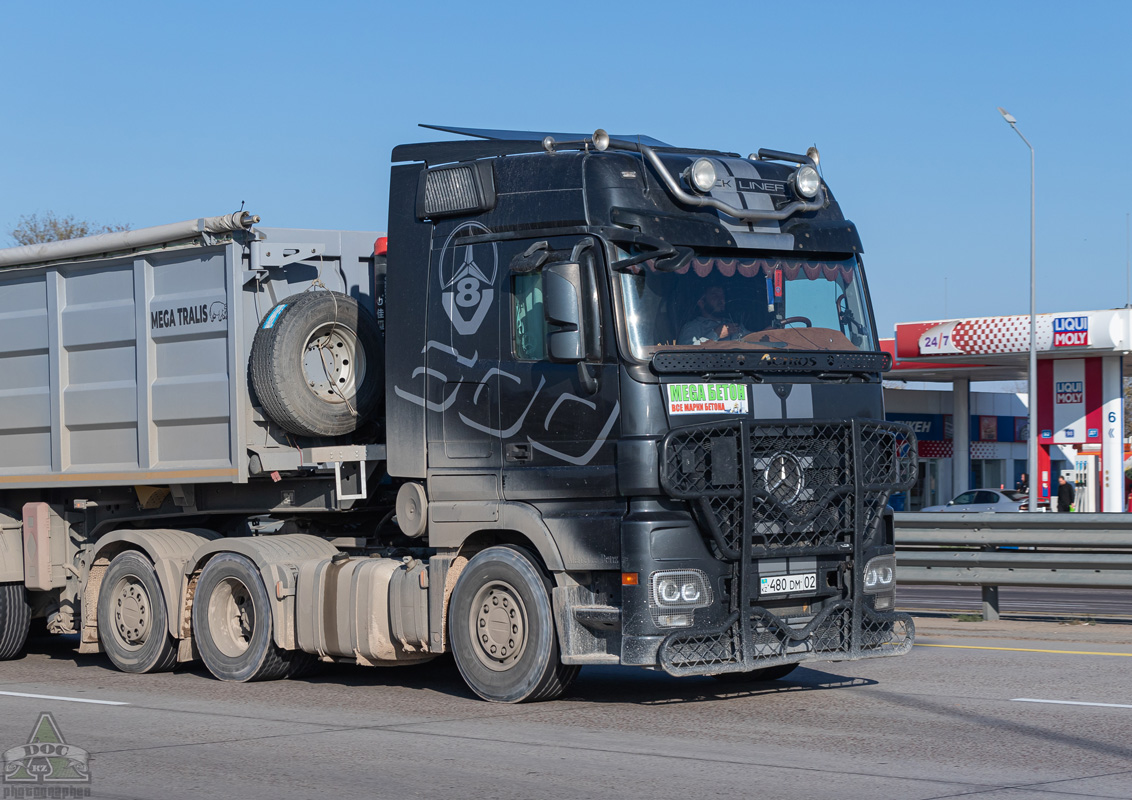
559	418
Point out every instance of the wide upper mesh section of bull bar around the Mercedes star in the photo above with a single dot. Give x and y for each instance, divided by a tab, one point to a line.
739	477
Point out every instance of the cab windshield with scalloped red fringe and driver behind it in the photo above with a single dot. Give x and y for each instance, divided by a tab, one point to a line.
728	303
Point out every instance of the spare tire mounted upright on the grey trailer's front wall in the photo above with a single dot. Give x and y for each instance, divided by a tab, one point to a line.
318	365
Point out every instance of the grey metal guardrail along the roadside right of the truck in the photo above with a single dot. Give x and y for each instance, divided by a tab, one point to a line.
993	550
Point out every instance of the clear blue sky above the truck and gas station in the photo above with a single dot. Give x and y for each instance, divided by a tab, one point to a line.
147	114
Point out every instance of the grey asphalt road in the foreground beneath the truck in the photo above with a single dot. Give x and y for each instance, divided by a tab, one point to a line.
954	719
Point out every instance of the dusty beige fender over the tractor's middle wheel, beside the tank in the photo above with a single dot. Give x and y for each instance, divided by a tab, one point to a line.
278	560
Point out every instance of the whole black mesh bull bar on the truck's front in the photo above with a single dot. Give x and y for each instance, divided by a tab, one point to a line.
778	492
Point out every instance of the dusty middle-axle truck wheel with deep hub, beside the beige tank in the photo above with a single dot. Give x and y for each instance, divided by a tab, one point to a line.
233	623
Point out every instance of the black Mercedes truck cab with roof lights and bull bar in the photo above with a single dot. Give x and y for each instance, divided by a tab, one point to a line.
656	372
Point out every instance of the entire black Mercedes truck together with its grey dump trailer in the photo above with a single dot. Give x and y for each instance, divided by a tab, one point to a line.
591	400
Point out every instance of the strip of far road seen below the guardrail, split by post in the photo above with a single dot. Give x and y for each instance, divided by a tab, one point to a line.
1022	601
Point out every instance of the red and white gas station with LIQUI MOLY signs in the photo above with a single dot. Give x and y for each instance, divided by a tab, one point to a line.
1080	410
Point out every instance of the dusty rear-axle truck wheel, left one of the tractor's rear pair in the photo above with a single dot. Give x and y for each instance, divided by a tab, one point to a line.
133	621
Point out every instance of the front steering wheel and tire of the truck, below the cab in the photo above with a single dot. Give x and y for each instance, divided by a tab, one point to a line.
502	629
